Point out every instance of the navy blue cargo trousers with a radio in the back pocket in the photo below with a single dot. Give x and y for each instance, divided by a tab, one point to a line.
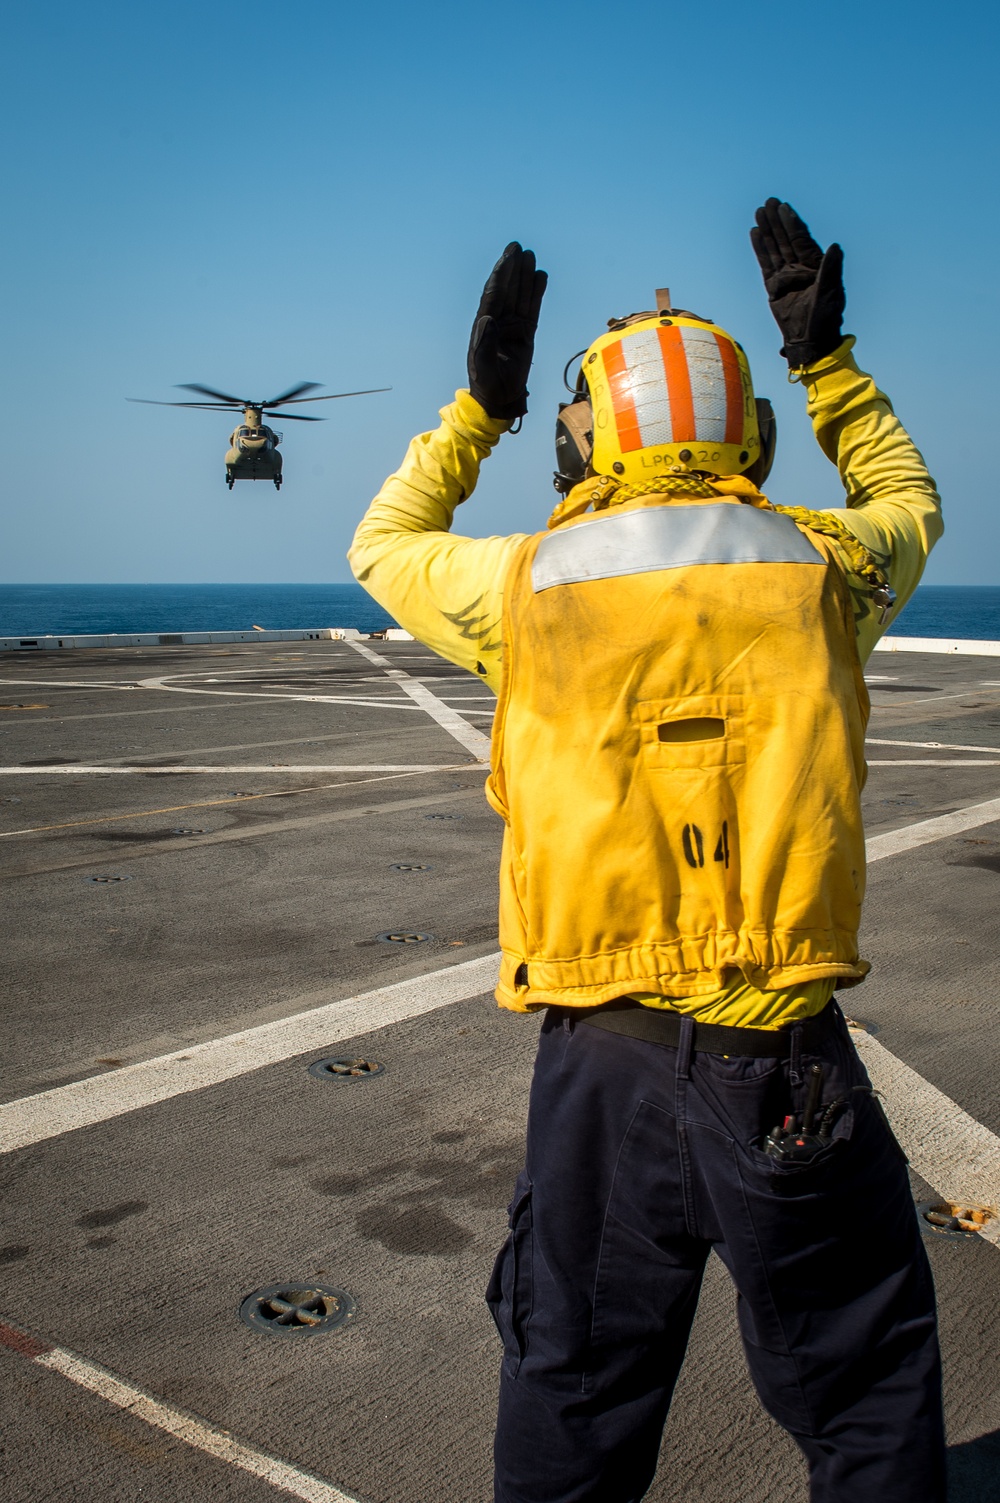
641	1160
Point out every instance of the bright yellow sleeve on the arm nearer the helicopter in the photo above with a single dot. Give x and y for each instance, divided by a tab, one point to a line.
446	590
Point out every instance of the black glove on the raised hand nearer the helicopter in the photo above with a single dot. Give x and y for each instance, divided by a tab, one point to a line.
505	334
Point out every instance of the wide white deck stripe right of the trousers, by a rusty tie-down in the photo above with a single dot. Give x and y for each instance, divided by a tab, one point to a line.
948	1148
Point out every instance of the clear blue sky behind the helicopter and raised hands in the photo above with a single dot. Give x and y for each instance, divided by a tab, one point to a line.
250	196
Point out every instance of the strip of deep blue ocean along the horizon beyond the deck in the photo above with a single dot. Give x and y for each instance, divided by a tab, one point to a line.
936	611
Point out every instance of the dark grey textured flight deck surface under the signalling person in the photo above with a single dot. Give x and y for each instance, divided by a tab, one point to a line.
133	1242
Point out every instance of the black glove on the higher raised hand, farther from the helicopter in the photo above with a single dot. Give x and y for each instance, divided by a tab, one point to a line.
805	286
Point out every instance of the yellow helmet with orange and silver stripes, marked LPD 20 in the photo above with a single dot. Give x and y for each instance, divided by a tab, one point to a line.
668	393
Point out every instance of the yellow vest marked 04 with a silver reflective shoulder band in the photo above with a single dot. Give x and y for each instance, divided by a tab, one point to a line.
679	755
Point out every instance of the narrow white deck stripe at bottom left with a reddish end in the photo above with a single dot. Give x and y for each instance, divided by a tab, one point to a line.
192	1432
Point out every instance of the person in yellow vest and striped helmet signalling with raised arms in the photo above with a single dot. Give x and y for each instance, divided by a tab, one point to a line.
679	760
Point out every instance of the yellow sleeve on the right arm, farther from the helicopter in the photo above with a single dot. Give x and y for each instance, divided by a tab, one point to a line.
894	507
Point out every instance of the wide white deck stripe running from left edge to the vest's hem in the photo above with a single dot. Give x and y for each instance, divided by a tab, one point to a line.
68	1108
